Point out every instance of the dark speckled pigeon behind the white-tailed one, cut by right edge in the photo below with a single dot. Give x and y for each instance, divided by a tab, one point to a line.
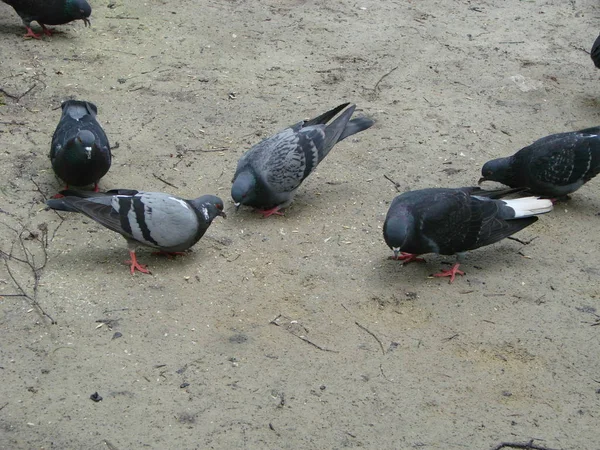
553	166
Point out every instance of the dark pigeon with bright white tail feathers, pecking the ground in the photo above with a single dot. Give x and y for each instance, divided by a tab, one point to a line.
451	221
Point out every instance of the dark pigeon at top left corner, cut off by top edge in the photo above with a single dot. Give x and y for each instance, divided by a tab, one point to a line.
50	12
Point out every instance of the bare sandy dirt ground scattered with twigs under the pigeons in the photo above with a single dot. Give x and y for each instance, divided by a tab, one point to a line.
297	332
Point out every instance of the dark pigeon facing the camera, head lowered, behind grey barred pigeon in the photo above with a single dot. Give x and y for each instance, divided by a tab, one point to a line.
80	152
